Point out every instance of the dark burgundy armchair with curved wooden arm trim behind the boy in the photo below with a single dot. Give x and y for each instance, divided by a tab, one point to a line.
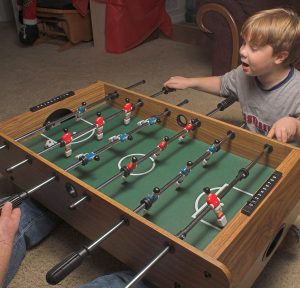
221	21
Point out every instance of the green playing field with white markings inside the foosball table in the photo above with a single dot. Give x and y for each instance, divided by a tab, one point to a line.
176	206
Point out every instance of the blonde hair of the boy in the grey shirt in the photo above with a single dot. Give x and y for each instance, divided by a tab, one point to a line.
279	28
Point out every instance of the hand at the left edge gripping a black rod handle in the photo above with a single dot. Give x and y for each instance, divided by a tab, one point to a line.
9	223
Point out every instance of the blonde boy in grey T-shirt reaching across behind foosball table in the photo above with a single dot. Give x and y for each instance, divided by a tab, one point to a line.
266	84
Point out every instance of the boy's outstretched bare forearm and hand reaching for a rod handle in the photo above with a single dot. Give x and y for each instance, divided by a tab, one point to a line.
210	85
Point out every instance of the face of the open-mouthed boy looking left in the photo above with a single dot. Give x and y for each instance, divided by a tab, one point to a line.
257	60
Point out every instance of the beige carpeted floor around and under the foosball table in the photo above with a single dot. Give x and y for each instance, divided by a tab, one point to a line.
30	75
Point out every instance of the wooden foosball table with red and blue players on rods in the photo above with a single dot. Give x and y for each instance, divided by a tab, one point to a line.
136	175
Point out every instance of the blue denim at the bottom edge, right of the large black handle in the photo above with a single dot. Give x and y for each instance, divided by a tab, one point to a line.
115	280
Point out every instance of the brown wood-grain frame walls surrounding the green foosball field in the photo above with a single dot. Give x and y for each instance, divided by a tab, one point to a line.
234	258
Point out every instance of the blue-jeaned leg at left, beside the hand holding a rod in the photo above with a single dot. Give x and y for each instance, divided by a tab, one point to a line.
35	224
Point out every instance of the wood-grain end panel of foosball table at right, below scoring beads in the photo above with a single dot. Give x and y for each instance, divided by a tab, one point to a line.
246	239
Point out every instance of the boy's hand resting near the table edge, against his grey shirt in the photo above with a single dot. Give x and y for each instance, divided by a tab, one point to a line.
285	129
